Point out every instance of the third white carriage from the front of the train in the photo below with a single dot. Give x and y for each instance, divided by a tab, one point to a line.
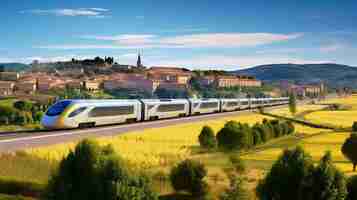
204	106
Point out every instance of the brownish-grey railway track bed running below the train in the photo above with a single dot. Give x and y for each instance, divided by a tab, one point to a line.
18	141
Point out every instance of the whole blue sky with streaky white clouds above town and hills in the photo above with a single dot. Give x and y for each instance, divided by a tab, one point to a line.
225	34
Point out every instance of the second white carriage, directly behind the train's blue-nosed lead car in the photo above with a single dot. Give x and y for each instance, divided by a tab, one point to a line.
164	108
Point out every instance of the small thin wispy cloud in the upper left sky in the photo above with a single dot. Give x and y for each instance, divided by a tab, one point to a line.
71	12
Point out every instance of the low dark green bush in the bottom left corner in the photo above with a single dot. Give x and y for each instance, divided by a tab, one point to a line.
14	187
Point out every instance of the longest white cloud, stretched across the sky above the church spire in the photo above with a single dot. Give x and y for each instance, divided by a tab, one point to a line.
207	40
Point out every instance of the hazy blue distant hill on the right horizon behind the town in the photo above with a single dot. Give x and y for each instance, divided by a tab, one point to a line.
333	75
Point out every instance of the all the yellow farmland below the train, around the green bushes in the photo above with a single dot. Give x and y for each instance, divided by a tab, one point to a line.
157	149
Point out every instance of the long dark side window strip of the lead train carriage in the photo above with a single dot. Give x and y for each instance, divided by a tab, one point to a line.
111	111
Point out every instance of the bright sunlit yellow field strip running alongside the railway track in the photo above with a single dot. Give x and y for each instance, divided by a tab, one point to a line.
152	147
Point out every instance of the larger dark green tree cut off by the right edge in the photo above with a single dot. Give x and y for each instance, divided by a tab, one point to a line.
349	149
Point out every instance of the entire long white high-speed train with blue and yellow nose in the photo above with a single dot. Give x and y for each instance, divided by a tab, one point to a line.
67	114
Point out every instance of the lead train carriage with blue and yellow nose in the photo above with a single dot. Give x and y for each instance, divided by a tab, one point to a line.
88	113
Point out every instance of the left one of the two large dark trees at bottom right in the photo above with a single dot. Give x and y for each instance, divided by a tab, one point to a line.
286	179
